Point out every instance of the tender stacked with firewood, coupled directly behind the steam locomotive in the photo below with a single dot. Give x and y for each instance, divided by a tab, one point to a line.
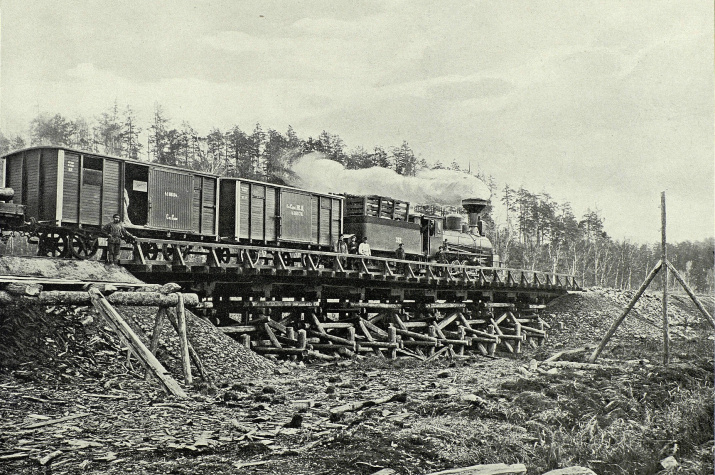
385	222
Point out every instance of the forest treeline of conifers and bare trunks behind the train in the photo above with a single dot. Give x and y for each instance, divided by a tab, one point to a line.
533	232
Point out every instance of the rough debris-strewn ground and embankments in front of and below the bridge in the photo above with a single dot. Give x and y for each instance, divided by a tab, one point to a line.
70	402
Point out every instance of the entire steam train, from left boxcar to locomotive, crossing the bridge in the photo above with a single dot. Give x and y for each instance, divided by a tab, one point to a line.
63	197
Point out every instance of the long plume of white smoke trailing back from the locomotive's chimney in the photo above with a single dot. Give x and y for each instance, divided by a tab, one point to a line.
438	187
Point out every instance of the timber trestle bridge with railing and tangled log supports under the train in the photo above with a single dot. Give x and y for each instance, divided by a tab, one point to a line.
305	303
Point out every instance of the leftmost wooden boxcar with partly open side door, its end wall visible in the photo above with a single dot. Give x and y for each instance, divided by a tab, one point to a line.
78	189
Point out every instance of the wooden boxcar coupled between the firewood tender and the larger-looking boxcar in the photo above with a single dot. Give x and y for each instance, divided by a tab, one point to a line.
268	214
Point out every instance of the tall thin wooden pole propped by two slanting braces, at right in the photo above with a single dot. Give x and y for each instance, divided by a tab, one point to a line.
665	266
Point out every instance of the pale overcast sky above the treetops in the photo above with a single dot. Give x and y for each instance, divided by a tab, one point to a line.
602	104
